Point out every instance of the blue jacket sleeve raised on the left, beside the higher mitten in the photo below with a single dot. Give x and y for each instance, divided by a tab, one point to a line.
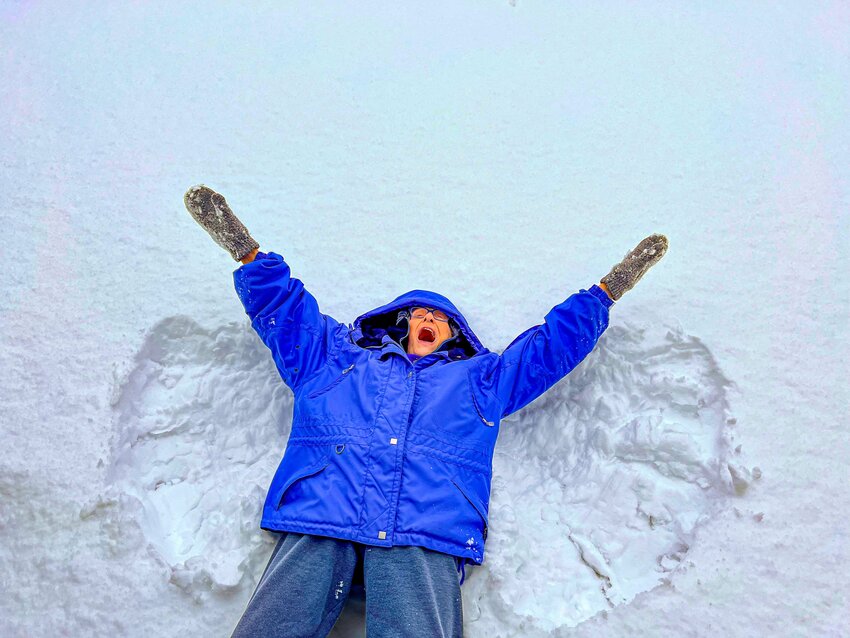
286	317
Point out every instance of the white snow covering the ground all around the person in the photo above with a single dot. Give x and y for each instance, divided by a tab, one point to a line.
689	478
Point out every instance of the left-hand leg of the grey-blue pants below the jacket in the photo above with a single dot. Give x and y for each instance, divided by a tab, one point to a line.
303	589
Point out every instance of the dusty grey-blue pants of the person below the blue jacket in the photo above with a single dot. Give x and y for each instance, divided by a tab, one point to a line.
410	591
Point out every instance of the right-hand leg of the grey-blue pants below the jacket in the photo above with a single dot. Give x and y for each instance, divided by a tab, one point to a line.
411	592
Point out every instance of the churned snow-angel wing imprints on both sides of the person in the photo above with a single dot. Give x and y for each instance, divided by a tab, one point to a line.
603	482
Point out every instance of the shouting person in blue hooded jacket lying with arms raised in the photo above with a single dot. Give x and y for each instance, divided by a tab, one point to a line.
385	481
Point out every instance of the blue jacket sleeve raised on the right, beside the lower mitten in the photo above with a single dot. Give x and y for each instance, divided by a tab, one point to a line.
544	354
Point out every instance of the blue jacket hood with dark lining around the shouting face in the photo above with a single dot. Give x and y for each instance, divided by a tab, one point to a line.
370	328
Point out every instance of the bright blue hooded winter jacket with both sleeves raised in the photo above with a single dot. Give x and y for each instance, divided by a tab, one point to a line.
385	451
